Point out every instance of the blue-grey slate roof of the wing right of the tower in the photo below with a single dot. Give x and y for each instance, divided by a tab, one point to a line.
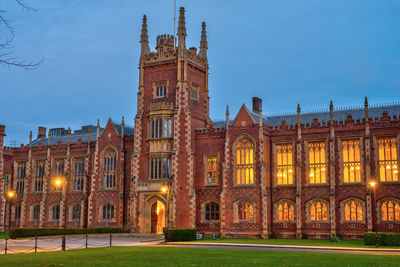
340	114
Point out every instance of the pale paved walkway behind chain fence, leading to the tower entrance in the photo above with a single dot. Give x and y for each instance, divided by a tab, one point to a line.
53	243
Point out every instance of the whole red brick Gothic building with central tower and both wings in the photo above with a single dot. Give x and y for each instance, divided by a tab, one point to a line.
294	175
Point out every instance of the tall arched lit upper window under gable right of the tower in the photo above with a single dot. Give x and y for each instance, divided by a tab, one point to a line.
244	161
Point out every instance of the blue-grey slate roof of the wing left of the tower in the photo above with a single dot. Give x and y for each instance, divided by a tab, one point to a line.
80	134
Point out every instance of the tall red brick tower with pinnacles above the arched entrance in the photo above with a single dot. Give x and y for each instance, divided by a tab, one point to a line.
172	100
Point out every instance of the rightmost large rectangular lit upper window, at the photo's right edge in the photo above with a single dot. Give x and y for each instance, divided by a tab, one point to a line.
387	162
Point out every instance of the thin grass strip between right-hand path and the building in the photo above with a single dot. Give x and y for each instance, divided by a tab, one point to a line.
295	242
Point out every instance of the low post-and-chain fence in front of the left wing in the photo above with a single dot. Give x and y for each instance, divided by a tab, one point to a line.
43	244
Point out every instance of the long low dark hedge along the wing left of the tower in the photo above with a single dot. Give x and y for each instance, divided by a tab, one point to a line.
30	232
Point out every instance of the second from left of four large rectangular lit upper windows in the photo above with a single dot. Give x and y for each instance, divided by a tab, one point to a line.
317	163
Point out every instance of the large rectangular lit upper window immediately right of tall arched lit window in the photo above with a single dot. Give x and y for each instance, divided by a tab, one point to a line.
284	164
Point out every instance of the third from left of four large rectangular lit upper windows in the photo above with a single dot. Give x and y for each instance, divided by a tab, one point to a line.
351	161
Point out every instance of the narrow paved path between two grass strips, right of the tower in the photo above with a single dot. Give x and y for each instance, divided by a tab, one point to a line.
321	249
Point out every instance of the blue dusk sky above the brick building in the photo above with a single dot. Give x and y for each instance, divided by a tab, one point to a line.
283	51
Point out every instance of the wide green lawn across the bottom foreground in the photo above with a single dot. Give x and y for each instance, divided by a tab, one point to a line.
168	256
